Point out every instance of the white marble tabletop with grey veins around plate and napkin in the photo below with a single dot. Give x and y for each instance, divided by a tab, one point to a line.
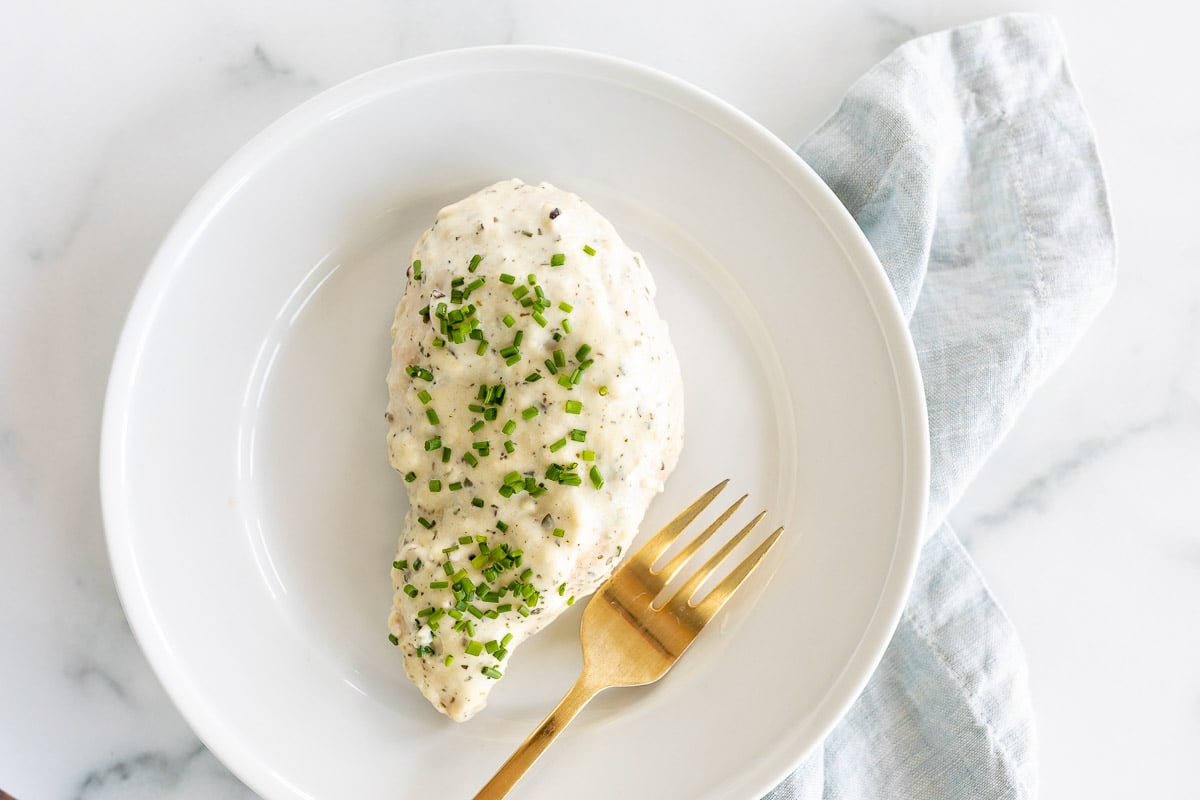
1085	522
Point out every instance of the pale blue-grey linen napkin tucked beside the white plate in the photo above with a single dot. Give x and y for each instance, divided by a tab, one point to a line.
970	164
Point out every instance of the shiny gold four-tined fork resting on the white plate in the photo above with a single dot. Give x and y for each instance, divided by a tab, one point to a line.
627	642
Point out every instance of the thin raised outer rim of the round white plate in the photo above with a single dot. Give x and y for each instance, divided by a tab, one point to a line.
368	87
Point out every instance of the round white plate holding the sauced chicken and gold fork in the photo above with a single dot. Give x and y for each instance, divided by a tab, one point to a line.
253	515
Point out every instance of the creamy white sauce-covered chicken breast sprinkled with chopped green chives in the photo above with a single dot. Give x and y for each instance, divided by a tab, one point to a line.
632	414
